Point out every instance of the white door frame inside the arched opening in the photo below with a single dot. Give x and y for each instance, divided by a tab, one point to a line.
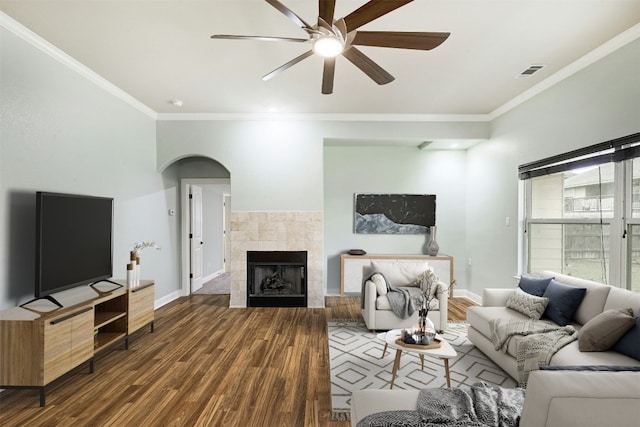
185	214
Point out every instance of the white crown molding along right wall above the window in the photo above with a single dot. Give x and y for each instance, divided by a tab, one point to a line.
595	55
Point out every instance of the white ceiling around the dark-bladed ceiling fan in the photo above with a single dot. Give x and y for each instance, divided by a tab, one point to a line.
157	51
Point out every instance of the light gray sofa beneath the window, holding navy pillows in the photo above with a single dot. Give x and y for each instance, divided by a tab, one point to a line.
597	299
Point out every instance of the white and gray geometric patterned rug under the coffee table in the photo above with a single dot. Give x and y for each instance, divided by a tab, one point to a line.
356	362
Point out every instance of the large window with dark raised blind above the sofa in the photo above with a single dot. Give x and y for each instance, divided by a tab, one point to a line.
582	215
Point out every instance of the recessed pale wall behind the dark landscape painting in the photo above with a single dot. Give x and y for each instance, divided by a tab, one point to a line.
351	170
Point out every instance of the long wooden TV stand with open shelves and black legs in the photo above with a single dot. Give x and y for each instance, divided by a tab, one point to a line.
40	342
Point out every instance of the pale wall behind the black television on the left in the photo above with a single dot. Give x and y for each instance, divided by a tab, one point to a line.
61	132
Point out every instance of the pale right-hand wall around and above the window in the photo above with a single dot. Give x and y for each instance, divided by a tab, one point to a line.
596	104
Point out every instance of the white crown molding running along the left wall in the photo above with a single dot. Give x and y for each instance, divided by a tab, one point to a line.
38	42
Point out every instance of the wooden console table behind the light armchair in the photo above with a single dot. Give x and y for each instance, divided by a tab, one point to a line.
352	268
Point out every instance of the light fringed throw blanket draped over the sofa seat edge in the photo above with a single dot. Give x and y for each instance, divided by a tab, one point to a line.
540	341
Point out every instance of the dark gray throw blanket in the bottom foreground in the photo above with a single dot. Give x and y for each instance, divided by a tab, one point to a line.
482	406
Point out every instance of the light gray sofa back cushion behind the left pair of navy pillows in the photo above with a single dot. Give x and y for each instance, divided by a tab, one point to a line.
594	299
